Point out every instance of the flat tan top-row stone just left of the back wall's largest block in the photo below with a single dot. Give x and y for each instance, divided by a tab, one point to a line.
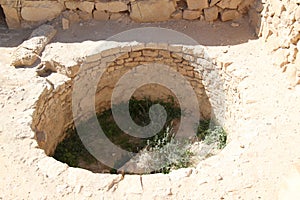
112	6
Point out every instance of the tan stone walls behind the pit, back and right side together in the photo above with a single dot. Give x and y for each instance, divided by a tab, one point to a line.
276	21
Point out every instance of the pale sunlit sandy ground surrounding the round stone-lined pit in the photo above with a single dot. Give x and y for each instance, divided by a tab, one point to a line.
260	158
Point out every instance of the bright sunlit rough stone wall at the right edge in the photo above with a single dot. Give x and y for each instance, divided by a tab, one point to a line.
278	23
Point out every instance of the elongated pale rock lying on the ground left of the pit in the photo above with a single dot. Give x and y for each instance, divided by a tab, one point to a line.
27	53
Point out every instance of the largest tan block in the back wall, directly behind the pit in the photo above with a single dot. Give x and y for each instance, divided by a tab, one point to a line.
150	11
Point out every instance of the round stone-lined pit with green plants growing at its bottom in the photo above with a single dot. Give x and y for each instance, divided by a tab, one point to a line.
56	130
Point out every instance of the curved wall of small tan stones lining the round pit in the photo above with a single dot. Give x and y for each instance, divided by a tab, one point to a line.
53	114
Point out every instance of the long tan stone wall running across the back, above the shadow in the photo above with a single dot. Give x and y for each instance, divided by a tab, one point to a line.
25	13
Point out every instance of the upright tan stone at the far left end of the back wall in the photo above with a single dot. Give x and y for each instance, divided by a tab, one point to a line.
11	17
